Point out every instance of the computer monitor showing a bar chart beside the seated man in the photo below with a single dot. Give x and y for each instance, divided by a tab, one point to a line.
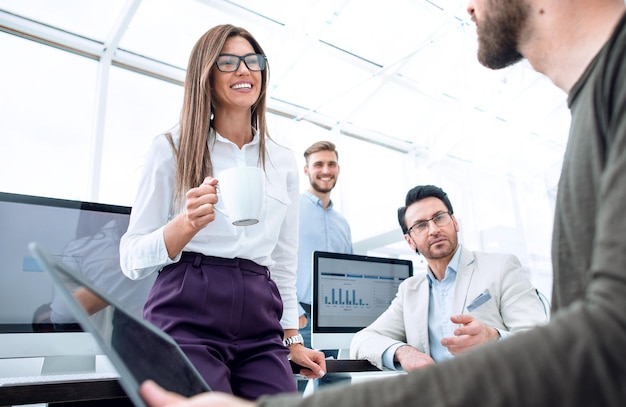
349	292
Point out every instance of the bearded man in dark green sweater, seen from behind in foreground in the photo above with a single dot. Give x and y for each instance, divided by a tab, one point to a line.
579	358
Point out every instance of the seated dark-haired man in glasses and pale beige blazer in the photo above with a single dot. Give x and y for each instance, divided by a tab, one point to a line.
463	300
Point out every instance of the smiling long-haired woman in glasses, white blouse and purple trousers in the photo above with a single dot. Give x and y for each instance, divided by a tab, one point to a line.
225	293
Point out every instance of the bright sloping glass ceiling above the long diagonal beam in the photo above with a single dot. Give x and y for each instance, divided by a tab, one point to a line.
394	72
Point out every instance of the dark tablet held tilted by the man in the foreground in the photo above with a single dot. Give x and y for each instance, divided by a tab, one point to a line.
138	350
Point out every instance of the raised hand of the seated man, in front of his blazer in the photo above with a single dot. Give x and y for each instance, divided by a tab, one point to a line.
471	334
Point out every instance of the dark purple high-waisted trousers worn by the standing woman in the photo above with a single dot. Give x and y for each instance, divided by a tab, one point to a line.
224	314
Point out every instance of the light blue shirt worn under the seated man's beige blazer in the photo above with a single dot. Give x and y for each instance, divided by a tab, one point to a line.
441	297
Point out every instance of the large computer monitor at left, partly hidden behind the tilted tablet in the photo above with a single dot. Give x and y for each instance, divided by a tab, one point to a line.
36	323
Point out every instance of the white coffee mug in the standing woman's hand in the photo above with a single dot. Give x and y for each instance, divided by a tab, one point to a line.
242	192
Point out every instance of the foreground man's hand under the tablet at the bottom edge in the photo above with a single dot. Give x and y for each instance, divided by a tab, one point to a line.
155	396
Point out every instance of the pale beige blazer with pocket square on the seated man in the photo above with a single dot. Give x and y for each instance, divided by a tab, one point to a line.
513	305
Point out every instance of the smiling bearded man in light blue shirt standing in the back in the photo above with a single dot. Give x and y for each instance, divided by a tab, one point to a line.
321	227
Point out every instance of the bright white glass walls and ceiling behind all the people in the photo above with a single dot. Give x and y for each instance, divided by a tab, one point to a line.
86	84
